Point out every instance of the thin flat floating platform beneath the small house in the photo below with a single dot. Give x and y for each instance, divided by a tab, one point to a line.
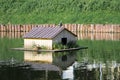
55	50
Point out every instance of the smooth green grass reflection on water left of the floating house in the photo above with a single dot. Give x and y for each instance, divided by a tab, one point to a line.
5	49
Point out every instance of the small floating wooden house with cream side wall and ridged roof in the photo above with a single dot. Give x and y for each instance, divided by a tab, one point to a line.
46	36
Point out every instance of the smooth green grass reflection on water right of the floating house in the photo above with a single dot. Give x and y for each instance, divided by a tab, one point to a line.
100	50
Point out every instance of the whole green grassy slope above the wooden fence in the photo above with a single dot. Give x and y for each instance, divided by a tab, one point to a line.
53	11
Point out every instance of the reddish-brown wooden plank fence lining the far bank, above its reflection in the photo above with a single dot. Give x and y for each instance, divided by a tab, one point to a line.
72	27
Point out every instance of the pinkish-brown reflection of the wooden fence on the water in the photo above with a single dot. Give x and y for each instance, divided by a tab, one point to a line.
90	36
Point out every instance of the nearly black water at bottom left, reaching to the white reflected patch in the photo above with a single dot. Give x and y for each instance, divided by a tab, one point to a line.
25	71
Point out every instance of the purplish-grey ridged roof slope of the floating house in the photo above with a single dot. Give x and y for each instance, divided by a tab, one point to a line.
43	32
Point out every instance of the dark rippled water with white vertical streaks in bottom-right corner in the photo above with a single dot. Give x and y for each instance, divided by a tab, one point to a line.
99	71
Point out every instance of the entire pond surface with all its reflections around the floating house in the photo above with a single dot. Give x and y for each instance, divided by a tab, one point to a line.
100	63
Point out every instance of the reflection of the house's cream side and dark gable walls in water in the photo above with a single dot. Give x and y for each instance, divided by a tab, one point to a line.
62	60
